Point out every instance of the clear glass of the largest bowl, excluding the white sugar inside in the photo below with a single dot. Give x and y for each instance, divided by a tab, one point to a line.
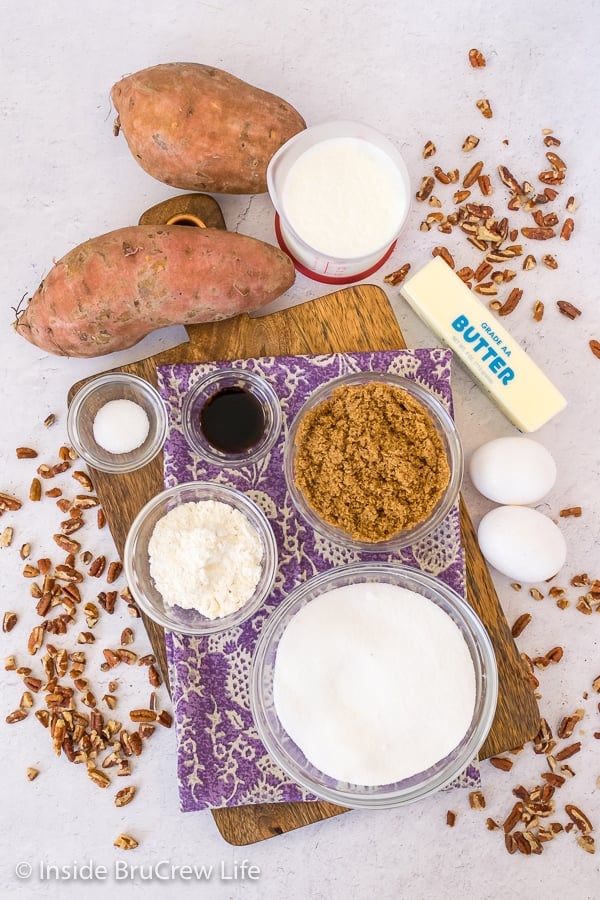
289	756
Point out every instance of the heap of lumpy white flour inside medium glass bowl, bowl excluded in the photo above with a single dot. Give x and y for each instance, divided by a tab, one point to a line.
205	556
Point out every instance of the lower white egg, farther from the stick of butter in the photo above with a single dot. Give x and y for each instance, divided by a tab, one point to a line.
521	543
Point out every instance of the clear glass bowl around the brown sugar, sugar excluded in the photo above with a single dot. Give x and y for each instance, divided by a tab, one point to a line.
445	427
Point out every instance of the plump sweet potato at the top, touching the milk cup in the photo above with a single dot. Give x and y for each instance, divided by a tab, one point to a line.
199	128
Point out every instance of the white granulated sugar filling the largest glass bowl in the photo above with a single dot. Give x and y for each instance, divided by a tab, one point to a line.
374	683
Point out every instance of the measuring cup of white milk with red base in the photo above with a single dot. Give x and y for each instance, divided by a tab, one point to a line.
341	193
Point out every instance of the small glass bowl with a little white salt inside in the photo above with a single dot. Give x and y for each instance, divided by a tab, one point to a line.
117	422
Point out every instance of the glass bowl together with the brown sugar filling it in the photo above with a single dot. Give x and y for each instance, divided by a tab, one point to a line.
373	461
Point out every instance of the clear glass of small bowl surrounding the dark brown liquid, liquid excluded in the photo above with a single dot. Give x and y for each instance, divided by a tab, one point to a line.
214	383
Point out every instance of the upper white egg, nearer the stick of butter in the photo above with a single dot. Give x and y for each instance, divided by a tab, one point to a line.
512	470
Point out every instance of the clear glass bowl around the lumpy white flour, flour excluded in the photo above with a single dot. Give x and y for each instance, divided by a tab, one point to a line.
136	562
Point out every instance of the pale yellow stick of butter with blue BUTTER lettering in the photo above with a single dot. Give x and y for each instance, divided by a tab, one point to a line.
498	364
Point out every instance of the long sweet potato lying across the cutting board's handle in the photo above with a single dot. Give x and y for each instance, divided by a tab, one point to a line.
111	291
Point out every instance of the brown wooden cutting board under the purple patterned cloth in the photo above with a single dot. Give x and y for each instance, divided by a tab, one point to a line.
352	319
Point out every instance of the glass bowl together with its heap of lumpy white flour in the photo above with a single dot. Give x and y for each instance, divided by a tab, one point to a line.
200	557
